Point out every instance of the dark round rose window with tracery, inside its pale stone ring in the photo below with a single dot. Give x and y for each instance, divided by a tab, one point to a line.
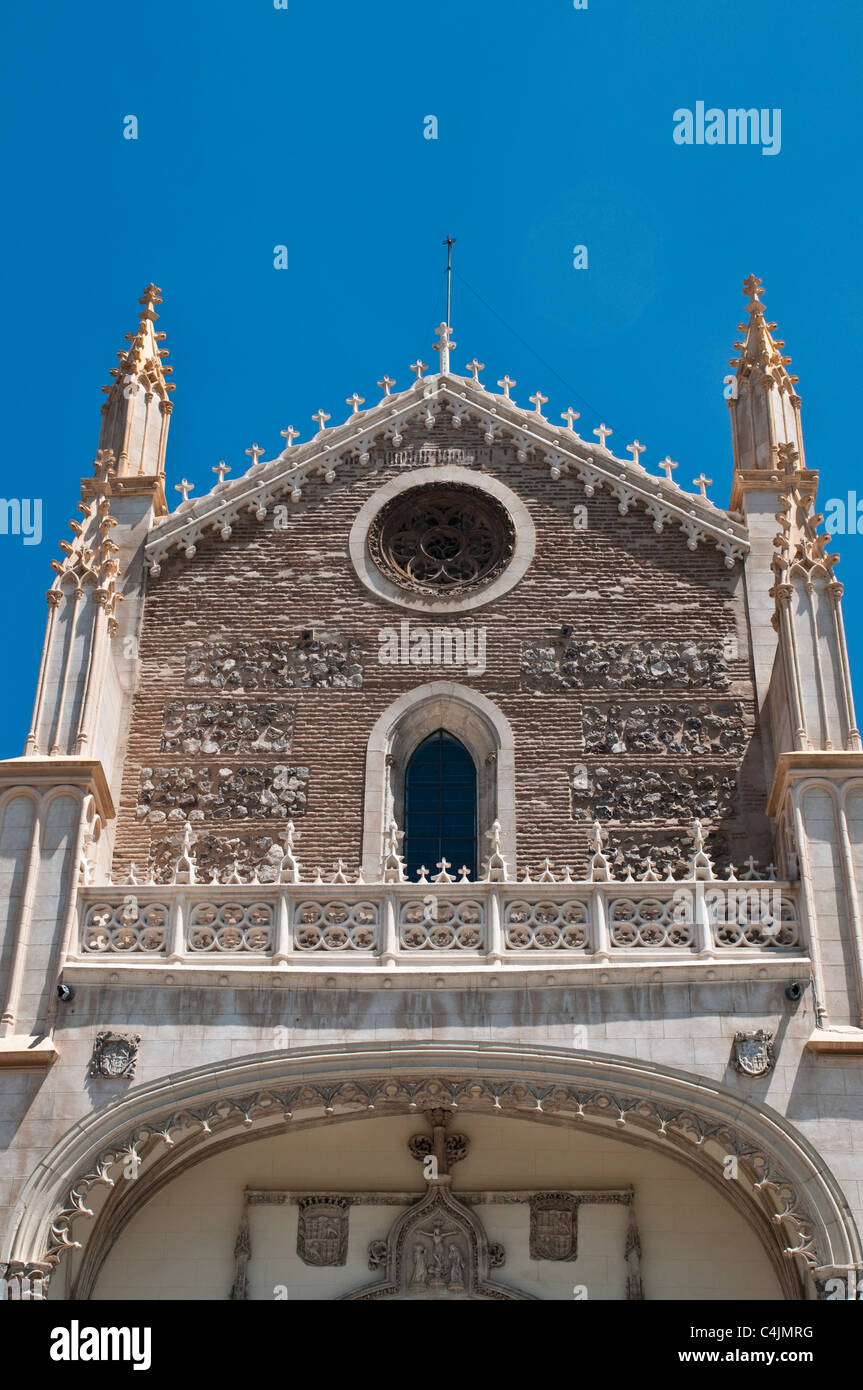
443	540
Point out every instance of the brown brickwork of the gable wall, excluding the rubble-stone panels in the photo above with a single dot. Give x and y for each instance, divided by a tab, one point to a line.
618	580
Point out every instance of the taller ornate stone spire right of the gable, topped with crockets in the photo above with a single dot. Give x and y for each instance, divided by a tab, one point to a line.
764	400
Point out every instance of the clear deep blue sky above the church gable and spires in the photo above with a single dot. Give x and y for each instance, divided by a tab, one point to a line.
261	127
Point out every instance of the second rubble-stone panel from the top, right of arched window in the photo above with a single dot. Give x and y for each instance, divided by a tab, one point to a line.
696	729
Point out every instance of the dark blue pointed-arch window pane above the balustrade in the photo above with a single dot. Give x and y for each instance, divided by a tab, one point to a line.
441	807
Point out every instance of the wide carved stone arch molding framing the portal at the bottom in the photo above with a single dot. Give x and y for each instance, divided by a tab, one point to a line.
793	1200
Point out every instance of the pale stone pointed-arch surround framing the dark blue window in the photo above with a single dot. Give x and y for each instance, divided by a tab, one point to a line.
477	723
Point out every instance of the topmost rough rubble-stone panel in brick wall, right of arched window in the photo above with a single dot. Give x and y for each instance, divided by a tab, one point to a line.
587	665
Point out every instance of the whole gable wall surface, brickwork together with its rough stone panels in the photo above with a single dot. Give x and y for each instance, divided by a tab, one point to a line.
605	610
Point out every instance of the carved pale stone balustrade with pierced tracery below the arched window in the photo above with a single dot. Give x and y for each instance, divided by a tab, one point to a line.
397	924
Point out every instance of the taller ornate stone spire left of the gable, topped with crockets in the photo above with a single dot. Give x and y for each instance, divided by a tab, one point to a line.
135	416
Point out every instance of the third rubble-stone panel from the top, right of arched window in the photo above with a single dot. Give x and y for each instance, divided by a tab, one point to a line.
647	794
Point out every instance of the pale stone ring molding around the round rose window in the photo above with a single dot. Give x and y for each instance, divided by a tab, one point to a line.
384	589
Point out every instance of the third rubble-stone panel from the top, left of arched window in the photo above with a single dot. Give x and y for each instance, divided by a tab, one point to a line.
187	793
